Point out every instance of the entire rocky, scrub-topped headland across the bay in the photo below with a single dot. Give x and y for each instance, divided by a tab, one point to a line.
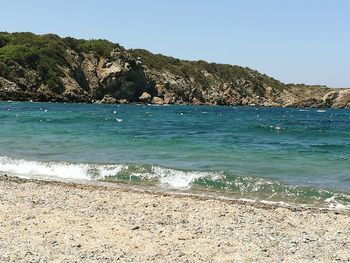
49	68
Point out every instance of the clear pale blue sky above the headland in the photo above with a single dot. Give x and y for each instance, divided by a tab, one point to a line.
300	41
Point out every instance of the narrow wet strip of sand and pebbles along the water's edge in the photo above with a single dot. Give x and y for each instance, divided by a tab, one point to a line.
196	194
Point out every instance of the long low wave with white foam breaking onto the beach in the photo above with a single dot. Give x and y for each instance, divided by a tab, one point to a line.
238	186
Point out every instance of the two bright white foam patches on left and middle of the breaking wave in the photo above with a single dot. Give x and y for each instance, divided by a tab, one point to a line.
165	176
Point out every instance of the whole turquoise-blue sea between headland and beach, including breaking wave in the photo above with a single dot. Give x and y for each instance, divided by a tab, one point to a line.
274	154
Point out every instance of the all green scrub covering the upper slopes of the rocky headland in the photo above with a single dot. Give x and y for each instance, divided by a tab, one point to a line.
46	54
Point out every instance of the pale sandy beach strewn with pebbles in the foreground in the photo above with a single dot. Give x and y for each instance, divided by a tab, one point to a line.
44	221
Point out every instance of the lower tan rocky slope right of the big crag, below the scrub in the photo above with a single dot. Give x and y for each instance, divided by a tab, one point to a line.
174	89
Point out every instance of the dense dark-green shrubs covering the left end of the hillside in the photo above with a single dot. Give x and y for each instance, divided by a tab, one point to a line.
44	53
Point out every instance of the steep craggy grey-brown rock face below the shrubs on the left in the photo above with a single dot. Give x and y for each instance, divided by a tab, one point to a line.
85	77
